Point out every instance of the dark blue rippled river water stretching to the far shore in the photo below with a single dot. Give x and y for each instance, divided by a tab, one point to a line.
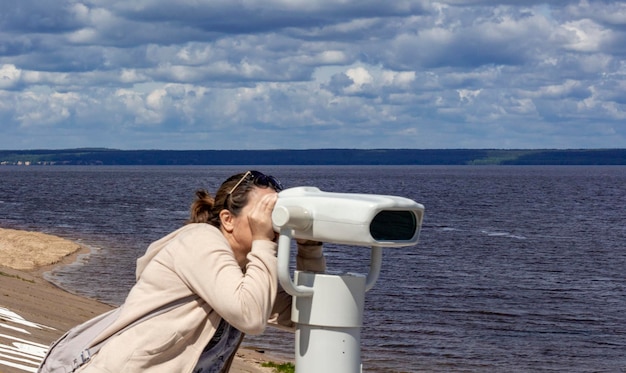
518	269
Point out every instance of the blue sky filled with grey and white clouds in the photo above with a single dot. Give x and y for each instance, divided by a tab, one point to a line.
300	74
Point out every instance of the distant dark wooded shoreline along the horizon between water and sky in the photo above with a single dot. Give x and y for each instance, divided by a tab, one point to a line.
101	156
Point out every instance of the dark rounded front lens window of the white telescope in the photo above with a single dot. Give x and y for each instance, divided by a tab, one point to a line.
391	225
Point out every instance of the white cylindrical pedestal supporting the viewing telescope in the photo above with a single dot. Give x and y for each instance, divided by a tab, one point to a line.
328	323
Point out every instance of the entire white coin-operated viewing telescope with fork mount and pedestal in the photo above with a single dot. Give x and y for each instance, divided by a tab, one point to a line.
328	308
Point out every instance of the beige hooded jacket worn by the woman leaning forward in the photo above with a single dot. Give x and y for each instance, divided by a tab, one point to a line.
195	260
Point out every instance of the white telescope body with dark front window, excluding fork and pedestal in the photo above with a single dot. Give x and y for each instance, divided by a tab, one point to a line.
349	219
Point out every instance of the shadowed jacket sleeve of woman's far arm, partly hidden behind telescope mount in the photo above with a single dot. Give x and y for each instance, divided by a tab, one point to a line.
309	258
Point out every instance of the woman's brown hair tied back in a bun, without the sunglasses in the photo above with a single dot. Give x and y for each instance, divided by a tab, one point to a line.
206	209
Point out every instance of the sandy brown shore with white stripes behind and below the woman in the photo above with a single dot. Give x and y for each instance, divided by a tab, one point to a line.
34	312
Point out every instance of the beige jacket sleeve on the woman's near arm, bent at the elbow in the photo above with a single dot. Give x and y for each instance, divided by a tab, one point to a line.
243	297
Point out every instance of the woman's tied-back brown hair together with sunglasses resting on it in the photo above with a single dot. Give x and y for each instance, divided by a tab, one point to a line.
232	195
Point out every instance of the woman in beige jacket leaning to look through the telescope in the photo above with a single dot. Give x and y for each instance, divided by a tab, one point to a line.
223	265
